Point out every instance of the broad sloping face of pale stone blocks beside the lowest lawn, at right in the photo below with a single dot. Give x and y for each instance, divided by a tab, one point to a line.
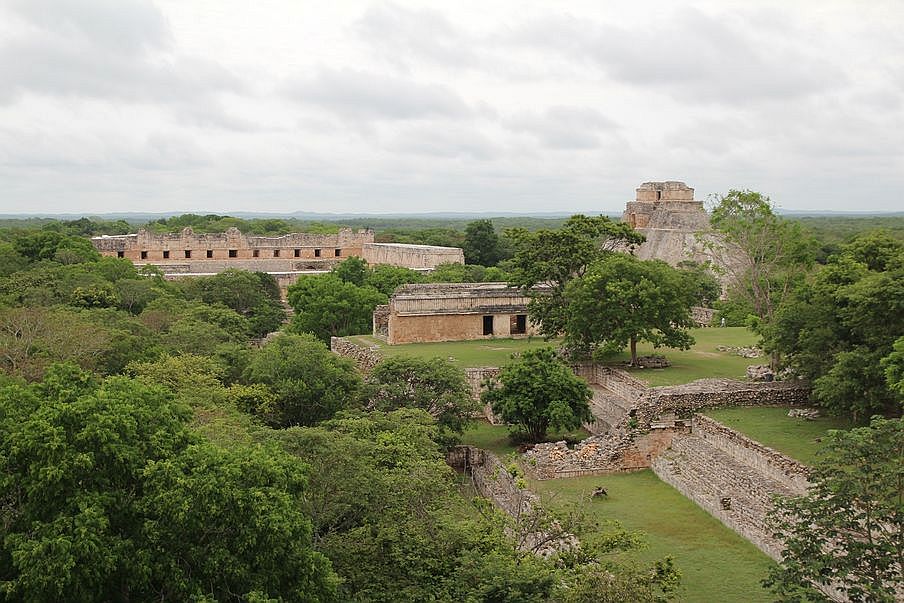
732	477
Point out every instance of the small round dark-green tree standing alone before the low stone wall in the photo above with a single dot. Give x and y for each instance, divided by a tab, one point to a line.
540	391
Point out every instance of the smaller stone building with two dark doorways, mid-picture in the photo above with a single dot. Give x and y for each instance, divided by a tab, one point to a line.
452	312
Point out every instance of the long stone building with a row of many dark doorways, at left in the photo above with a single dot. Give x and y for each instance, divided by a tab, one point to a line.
186	253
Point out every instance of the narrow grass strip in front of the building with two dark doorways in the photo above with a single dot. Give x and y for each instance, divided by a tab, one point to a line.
466	354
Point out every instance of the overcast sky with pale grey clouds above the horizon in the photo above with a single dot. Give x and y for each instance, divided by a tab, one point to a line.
514	106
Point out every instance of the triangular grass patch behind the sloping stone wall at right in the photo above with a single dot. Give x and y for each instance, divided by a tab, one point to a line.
771	426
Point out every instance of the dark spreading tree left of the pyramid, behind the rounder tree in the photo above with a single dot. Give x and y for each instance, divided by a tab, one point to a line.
550	259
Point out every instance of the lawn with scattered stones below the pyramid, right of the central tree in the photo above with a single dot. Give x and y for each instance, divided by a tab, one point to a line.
703	360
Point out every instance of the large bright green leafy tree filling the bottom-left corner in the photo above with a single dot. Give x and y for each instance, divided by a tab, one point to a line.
108	495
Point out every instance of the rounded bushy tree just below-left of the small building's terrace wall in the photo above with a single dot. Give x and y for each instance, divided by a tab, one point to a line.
309	382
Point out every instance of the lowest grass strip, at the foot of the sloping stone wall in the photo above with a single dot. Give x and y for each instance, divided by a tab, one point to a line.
716	564
